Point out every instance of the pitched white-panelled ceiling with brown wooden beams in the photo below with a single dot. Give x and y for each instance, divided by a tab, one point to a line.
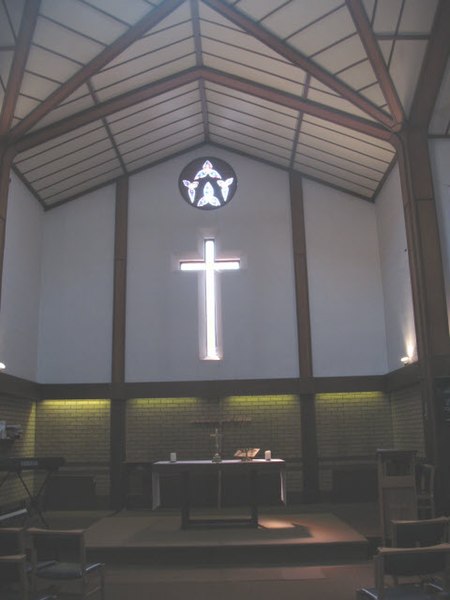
95	89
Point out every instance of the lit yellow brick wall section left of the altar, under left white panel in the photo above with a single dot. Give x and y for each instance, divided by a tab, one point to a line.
78	430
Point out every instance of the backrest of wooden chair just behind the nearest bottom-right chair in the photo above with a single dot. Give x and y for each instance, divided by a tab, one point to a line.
422	532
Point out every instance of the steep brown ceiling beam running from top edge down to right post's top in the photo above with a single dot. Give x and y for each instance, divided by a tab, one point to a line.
366	34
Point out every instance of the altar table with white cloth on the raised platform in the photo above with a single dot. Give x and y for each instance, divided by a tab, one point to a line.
184	469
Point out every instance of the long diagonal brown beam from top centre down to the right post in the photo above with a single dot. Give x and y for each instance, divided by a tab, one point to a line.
300	60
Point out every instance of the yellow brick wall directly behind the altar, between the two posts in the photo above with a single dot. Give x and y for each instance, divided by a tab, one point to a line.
158	426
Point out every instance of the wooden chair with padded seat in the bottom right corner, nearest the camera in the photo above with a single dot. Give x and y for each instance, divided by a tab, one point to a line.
421	568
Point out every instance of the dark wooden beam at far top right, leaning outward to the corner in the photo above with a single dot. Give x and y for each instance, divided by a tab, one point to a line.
433	68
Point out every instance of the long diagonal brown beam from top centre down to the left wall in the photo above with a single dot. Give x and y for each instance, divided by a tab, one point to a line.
149	21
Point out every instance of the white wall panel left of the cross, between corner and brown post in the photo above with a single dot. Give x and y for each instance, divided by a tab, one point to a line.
75	323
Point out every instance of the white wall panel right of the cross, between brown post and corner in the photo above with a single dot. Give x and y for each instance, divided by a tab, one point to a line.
345	286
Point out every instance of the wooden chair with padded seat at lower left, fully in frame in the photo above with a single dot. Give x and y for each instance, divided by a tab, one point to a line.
67	550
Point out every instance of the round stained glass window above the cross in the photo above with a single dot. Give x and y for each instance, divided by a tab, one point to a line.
207	183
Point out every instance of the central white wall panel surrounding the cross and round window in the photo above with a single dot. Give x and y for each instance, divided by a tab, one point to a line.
257	302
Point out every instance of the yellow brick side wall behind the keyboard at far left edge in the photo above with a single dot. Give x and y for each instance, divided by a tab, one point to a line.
23	413
